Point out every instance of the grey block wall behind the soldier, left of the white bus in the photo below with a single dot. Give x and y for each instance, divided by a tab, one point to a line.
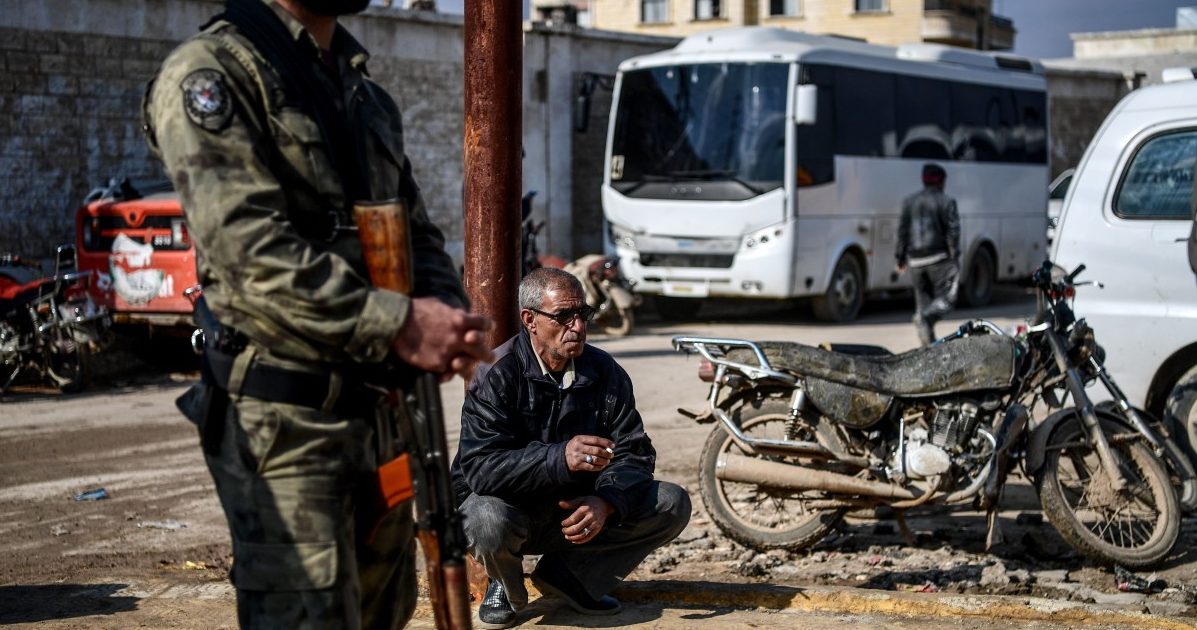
72	77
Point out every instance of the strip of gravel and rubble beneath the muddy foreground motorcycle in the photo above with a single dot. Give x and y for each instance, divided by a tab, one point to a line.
949	558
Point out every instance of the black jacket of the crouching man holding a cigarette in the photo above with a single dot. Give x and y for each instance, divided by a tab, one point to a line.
517	422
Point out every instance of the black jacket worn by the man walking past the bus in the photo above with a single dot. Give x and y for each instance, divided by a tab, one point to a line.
929	226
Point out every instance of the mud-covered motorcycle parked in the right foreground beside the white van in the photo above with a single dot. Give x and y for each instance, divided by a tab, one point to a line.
804	435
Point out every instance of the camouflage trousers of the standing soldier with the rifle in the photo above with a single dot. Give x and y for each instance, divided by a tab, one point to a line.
290	480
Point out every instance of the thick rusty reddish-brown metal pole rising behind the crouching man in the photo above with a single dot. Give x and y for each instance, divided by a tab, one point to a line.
493	155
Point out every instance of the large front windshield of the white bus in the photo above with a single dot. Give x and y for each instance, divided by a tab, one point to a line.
701	132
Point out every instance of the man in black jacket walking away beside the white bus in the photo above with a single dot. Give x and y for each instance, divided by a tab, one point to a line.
929	244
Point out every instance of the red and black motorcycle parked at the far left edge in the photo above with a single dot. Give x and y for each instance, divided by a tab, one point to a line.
48	326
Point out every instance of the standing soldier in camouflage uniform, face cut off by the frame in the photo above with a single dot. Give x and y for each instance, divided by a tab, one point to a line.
268	172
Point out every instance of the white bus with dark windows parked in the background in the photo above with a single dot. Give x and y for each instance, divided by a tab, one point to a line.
765	163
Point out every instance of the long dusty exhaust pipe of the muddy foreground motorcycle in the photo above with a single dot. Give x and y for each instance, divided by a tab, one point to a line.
776	475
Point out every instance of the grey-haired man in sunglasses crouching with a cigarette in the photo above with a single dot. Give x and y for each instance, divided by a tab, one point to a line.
555	461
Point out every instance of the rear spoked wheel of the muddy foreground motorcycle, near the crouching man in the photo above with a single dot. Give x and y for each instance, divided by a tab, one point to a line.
756	517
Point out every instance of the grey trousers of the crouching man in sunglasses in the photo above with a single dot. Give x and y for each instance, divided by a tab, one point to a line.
501	535
